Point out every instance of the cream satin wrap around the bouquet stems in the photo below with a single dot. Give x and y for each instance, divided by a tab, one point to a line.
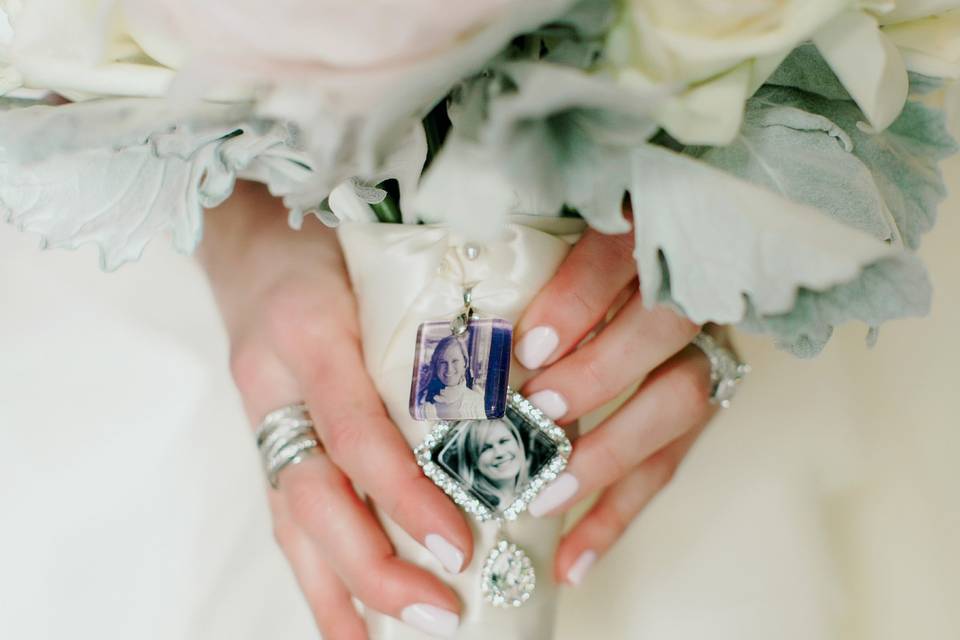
404	275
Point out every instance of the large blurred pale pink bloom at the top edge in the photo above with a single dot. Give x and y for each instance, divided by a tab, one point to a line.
334	34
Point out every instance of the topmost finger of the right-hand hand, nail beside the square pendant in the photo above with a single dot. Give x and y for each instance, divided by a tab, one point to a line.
576	298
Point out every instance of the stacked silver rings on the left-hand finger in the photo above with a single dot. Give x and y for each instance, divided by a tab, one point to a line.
285	437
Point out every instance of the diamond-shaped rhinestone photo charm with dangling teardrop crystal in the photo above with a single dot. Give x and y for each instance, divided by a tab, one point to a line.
493	469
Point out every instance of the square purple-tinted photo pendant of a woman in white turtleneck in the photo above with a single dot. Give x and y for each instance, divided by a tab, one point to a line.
461	377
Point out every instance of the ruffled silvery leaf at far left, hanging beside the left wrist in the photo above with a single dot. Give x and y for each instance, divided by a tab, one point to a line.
107	173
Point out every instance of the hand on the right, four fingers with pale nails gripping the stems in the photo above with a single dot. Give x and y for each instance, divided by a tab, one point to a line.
633	454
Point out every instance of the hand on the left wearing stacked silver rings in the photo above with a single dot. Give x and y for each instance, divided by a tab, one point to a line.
290	314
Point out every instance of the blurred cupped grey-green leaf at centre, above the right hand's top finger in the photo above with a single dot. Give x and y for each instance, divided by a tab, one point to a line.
567	134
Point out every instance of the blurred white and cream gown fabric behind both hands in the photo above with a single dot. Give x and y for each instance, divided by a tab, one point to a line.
824	505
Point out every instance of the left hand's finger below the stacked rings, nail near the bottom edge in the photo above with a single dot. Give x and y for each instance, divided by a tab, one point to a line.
323	504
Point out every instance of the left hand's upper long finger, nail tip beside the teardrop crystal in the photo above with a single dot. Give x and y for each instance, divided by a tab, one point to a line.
361	439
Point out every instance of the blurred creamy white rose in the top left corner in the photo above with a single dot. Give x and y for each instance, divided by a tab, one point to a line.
78	48
